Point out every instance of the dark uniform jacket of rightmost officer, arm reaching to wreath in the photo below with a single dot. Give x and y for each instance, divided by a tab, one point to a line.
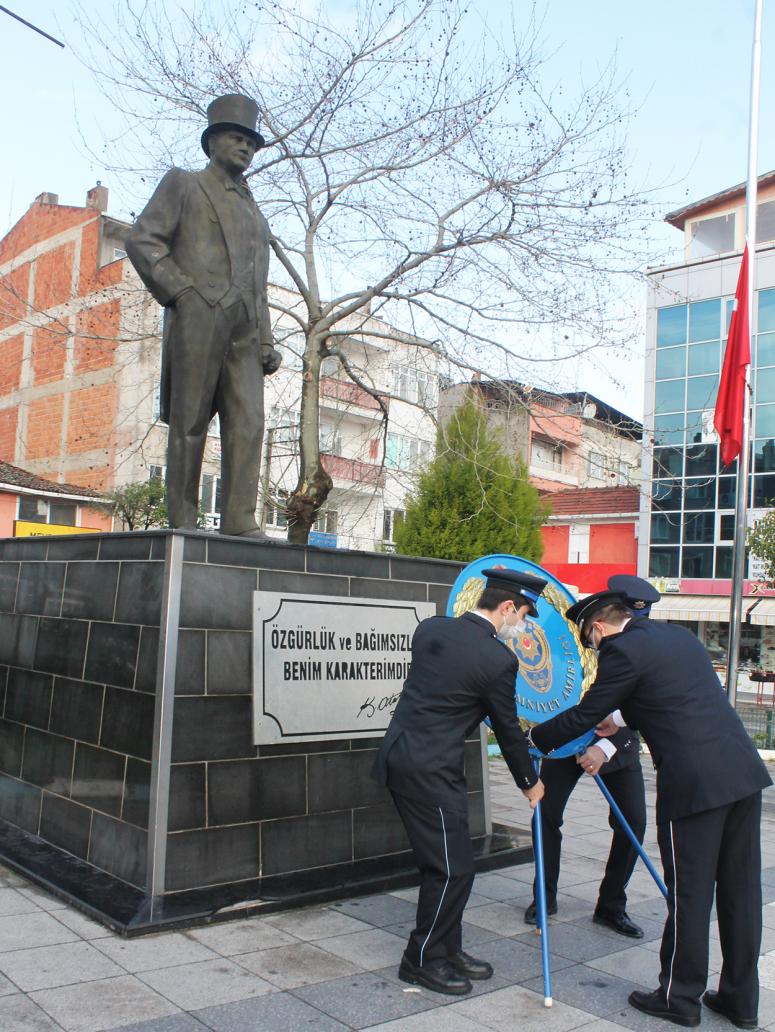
662	680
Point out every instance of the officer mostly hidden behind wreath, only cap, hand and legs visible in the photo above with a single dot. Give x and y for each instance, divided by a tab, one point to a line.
618	761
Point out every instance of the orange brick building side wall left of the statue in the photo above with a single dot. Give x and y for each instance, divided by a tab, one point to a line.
75	327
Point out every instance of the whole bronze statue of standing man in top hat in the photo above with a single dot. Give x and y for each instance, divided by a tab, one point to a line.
202	247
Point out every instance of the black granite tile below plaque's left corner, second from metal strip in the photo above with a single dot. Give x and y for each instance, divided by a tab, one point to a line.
256	790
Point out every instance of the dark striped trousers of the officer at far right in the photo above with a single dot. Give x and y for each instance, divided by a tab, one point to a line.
717	851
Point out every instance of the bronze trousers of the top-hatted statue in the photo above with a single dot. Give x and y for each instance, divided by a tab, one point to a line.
215	366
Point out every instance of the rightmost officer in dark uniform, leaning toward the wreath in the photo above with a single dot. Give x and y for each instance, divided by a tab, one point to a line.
659	680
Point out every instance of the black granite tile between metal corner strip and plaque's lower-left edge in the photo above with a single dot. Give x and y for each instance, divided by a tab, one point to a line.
213	728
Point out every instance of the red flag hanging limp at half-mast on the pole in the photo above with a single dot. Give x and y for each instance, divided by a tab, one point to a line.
728	417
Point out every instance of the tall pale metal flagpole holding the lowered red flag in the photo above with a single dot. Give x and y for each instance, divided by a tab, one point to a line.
738	561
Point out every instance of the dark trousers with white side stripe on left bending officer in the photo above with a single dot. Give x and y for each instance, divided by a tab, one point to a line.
441	843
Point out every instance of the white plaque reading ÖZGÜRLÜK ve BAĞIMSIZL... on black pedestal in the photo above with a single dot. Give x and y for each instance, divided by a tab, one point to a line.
329	668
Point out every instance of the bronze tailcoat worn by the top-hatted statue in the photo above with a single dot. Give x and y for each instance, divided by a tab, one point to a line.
188	236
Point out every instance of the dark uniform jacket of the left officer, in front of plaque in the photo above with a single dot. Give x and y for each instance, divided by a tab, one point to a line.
460	674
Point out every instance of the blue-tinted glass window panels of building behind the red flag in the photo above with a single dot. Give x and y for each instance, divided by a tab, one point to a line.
691	518
